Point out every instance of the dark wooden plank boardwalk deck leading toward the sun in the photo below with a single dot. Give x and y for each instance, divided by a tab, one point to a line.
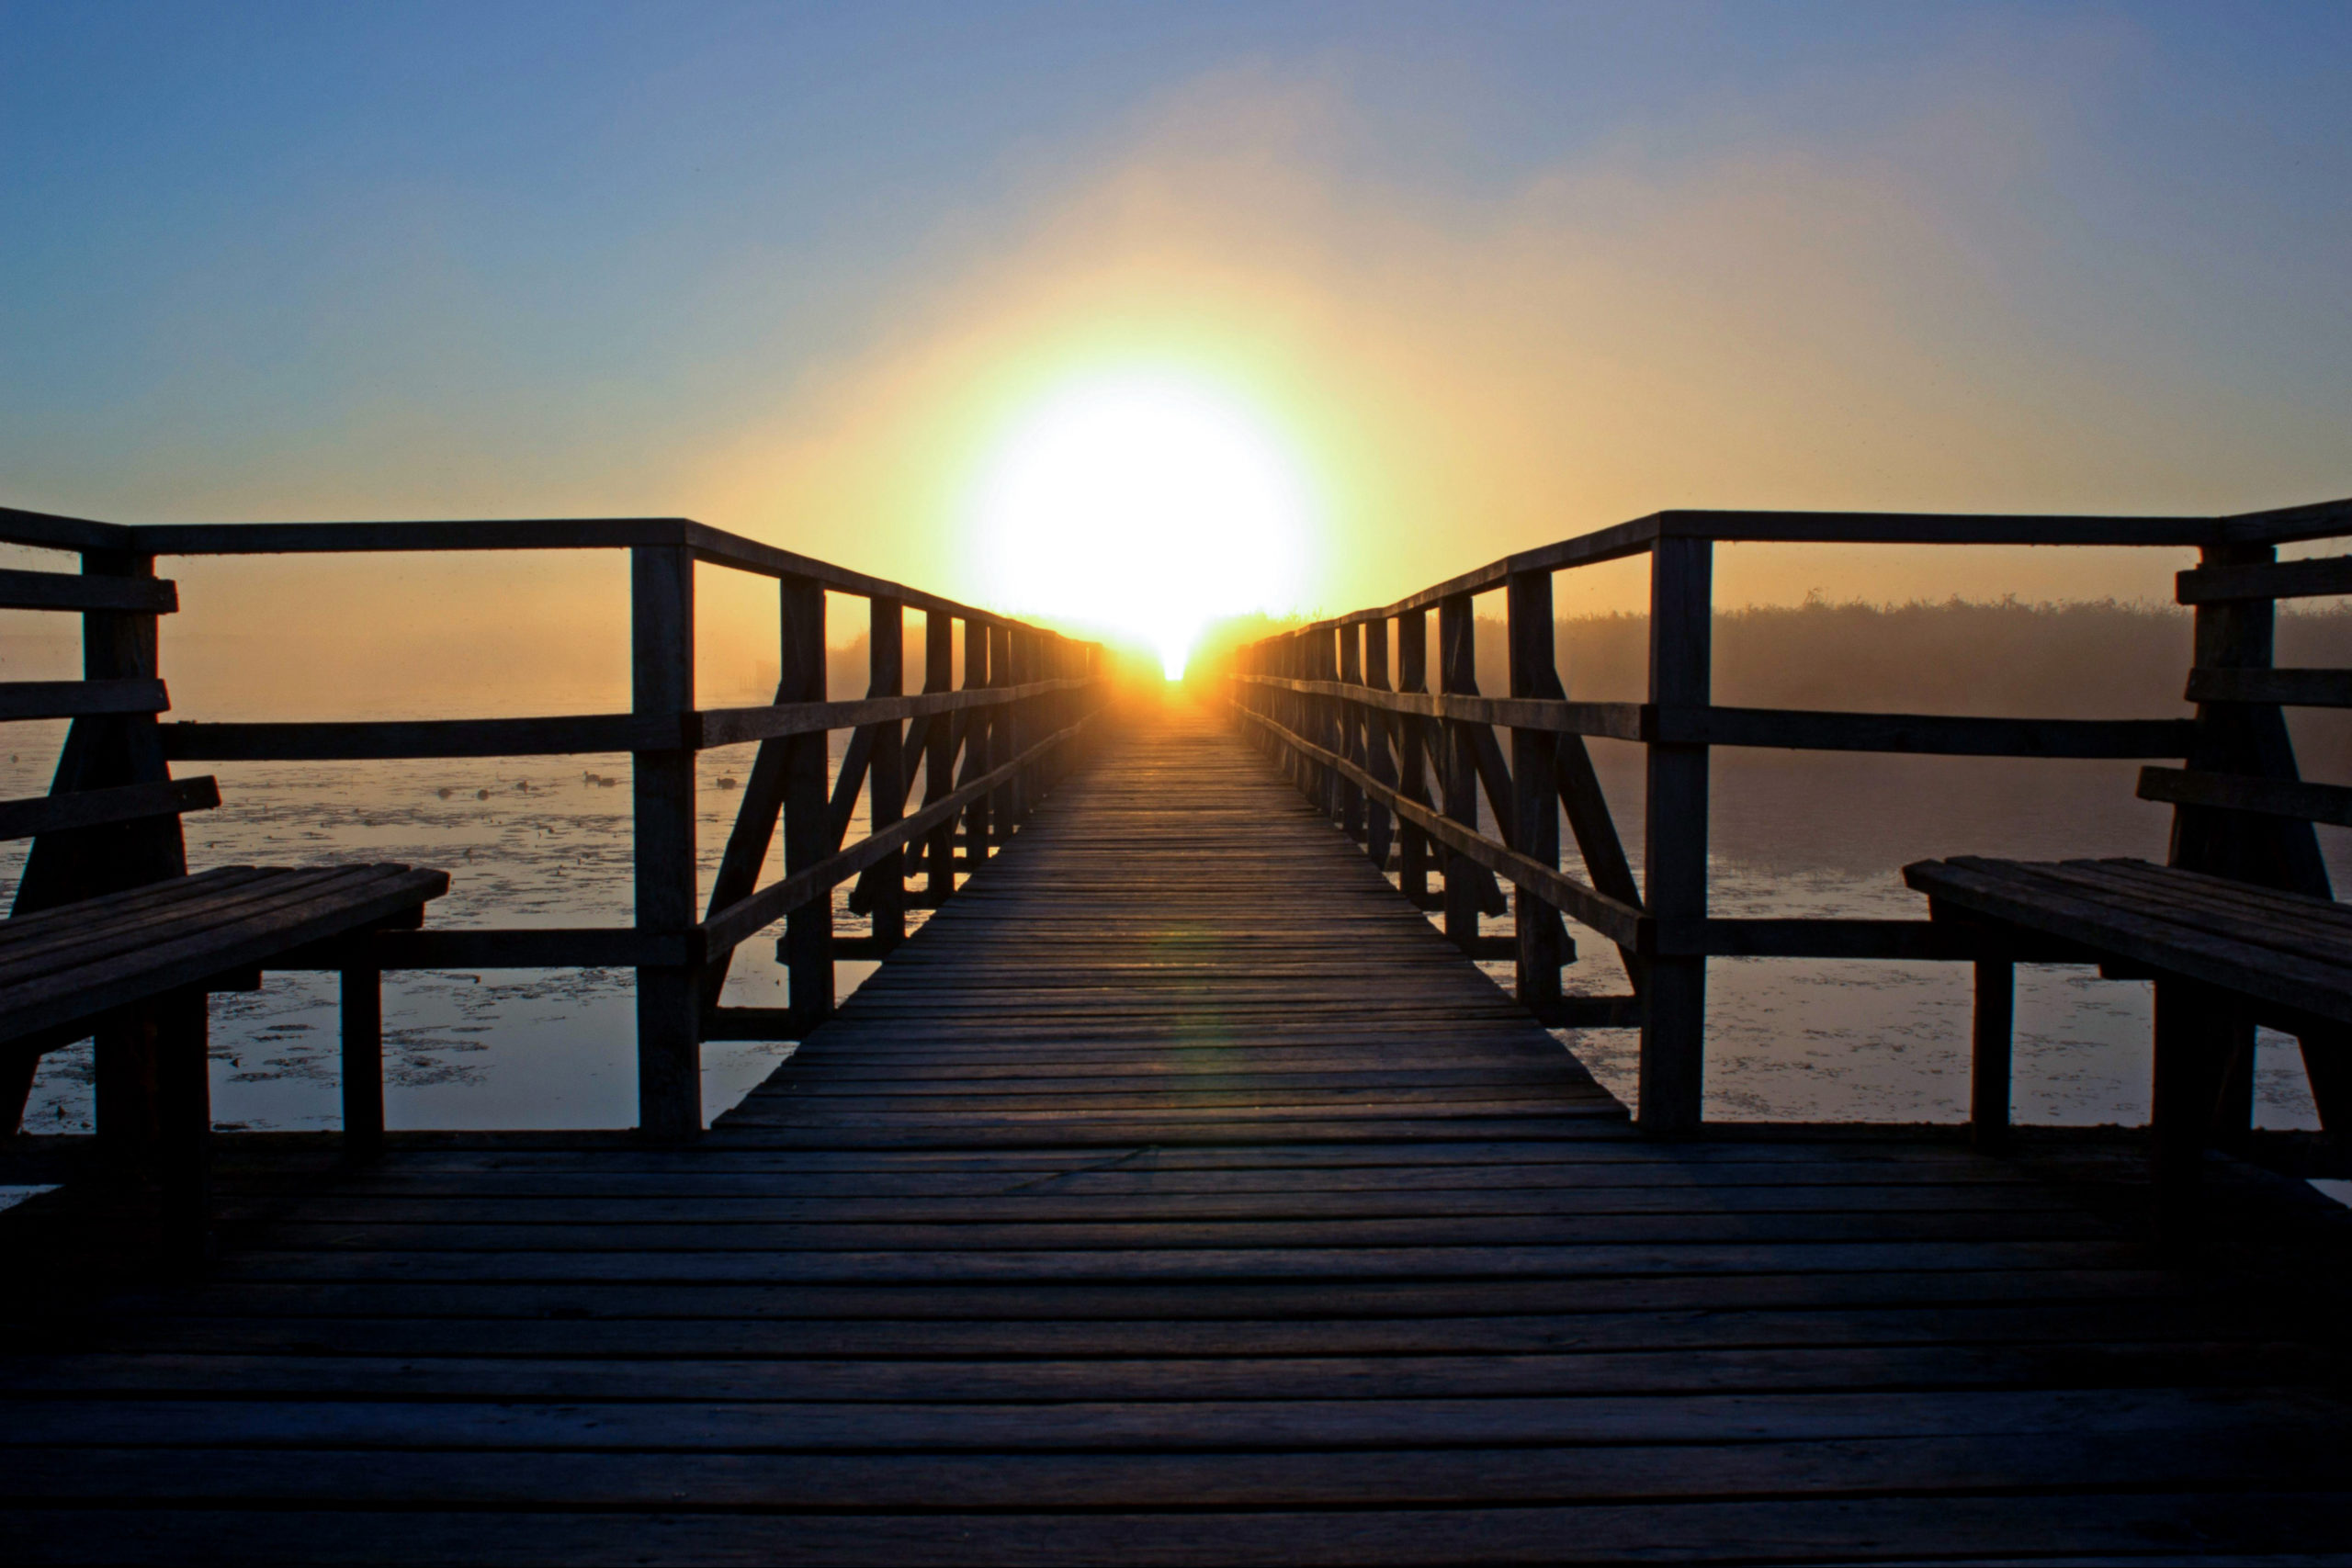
1180	1198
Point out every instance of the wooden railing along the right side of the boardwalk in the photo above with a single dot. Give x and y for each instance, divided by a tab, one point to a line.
1401	760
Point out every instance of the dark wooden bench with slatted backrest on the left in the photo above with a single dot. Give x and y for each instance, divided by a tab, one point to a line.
114	939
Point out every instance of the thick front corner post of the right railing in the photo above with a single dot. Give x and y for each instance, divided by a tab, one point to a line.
1676	836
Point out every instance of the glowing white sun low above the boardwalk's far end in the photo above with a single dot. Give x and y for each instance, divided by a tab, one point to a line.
1144	504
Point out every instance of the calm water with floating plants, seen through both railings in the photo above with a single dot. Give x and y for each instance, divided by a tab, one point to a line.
544	845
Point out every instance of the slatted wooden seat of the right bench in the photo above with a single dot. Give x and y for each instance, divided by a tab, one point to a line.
2149	927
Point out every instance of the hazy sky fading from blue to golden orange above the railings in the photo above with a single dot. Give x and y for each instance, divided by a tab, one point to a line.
1471	276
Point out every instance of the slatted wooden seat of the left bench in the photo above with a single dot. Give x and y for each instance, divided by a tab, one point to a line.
222	932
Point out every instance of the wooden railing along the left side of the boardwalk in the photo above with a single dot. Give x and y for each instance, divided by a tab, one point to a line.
987	753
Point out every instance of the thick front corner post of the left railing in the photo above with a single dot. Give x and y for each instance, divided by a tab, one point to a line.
669	996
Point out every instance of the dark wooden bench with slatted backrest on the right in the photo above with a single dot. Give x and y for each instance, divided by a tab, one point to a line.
2240	930
